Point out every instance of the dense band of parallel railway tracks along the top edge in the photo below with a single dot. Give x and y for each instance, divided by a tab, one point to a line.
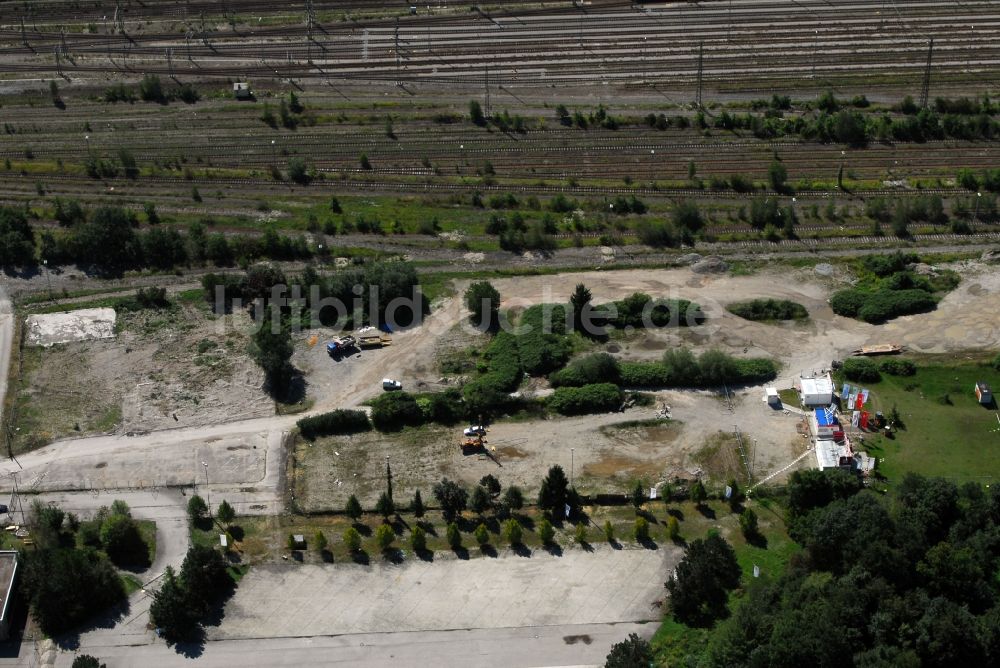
613	41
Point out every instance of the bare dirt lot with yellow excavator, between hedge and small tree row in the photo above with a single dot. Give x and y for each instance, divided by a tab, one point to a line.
605	453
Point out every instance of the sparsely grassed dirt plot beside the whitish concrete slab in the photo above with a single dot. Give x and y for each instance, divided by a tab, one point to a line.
164	369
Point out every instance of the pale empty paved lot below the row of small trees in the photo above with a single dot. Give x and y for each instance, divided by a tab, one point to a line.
577	588
